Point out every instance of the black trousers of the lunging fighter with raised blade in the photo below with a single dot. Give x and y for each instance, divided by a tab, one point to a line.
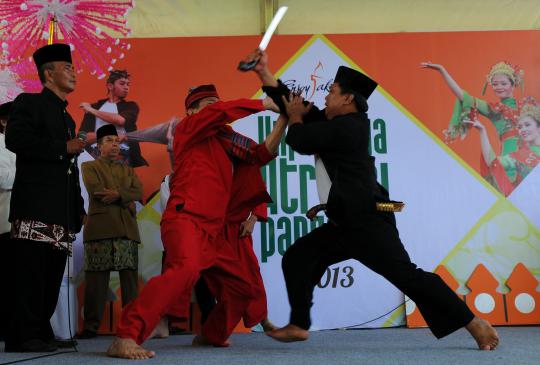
375	243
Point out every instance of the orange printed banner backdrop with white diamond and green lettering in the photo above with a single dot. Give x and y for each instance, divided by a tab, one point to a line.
453	217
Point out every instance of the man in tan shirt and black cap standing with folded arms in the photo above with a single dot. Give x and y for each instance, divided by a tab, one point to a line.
110	235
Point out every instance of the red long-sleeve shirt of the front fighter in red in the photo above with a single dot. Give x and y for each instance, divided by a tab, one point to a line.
202	179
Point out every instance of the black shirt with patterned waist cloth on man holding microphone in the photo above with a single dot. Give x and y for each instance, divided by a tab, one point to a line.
46	202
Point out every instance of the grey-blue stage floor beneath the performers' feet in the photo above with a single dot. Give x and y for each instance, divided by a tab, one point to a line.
519	345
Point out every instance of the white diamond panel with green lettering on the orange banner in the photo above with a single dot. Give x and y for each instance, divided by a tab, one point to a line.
439	178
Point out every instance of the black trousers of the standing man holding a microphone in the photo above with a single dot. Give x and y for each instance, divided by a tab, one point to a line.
37	274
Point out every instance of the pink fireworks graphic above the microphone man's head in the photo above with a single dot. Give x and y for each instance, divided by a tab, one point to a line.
85	25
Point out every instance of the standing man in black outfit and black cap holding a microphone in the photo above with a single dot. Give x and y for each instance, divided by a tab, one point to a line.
46	203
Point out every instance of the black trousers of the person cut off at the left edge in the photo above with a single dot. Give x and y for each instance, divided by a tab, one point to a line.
6	276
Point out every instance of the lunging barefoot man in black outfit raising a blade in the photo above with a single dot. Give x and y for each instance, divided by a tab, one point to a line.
357	227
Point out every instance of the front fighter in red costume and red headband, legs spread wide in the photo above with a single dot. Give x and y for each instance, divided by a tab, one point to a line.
207	153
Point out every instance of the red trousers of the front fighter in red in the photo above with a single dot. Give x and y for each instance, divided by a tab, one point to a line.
189	251
